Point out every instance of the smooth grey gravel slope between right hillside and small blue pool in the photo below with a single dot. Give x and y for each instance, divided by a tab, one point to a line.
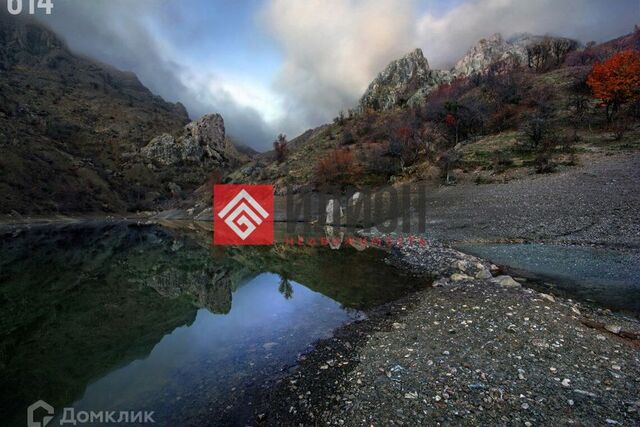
595	203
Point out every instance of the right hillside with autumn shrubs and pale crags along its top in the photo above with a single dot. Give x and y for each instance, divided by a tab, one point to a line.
472	123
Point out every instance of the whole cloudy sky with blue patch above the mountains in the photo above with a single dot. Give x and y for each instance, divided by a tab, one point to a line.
284	66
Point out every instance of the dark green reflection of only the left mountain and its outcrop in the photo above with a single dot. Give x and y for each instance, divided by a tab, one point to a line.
79	301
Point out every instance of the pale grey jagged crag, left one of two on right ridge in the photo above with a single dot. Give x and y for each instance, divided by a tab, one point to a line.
400	81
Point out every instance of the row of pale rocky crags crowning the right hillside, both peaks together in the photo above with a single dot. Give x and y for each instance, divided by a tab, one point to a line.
408	80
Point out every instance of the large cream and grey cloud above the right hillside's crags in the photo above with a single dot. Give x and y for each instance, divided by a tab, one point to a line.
332	49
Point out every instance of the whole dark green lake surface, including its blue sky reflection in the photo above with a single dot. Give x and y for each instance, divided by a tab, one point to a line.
117	316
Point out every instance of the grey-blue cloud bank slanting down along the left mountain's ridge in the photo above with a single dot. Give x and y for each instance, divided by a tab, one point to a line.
129	35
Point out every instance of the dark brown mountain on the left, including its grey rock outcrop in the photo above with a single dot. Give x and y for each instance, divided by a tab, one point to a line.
80	136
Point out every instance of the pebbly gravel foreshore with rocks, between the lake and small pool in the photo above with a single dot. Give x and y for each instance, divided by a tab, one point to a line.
476	348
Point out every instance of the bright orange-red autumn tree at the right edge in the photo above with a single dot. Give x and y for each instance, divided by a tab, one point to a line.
616	81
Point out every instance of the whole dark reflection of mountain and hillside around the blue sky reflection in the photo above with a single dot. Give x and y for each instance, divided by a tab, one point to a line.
78	301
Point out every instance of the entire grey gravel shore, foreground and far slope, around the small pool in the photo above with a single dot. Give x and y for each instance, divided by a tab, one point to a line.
478	348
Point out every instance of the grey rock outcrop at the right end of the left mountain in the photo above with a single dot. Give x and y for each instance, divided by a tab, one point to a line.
202	141
